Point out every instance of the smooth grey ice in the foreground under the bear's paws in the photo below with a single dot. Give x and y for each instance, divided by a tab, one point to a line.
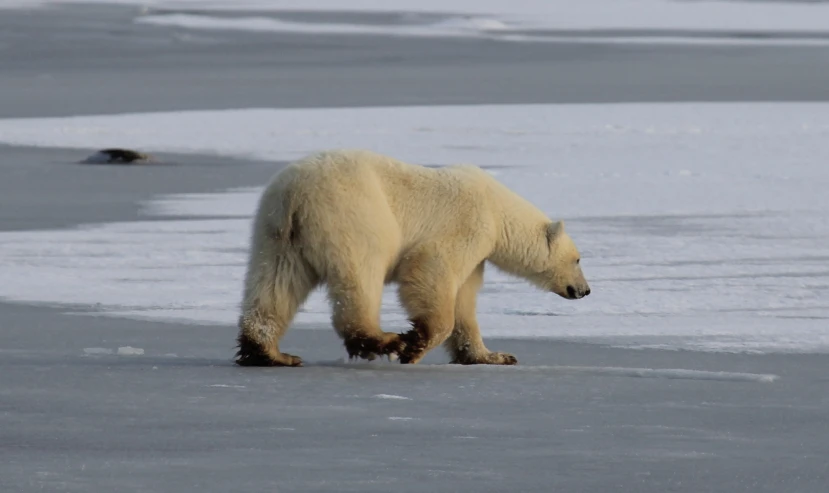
187	425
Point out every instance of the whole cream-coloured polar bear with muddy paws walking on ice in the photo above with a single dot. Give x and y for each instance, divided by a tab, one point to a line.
355	220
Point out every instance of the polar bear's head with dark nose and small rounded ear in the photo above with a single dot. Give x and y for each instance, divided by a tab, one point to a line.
561	272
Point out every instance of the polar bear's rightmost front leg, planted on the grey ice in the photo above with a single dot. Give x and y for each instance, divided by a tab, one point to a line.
465	345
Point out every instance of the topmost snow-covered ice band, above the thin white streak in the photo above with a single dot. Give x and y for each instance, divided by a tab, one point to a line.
532	14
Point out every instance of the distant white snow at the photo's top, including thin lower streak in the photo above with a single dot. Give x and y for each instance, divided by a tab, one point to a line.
491	17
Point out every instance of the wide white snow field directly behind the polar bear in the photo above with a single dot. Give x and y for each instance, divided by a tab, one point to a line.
702	226
